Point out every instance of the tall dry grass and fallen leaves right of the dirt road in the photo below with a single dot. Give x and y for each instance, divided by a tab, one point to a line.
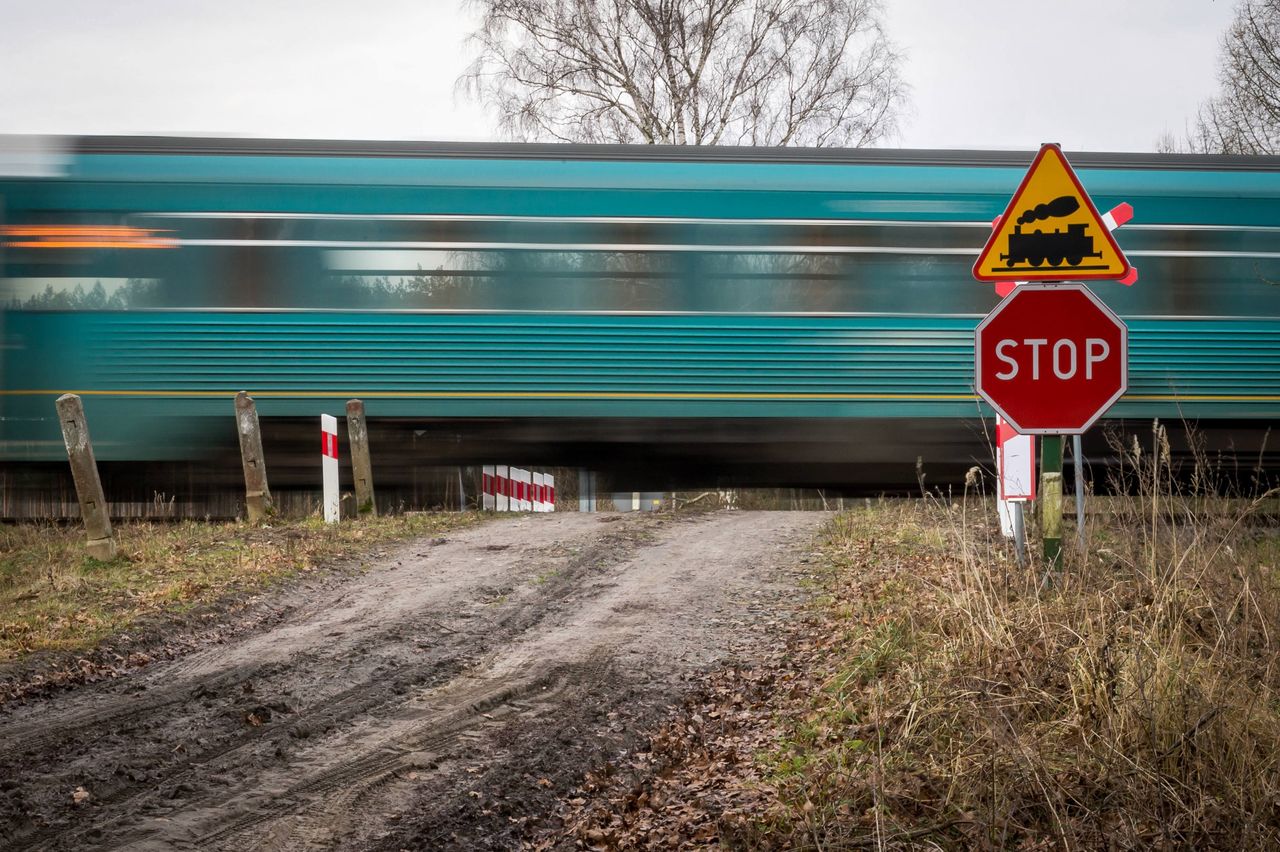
1132	703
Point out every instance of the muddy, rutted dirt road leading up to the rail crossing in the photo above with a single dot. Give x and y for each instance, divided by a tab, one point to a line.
444	699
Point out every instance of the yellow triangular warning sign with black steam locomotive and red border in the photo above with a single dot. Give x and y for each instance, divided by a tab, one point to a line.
1050	232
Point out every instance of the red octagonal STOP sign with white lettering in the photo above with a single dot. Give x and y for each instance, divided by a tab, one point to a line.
1052	359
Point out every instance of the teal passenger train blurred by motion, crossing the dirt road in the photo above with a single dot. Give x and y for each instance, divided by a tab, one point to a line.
675	317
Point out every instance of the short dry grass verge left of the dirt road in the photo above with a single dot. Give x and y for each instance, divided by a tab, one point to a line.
53	598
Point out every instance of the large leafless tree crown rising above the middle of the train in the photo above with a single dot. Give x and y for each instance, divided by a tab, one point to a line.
688	72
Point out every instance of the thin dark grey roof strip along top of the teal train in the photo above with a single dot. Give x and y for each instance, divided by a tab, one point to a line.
196	146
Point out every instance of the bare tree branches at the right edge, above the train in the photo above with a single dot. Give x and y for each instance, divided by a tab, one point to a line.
1245	117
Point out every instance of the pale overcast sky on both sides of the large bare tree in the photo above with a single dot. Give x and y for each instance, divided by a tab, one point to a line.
1092	75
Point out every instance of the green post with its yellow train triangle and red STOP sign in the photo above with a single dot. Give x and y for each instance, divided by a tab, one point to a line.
1052	358
